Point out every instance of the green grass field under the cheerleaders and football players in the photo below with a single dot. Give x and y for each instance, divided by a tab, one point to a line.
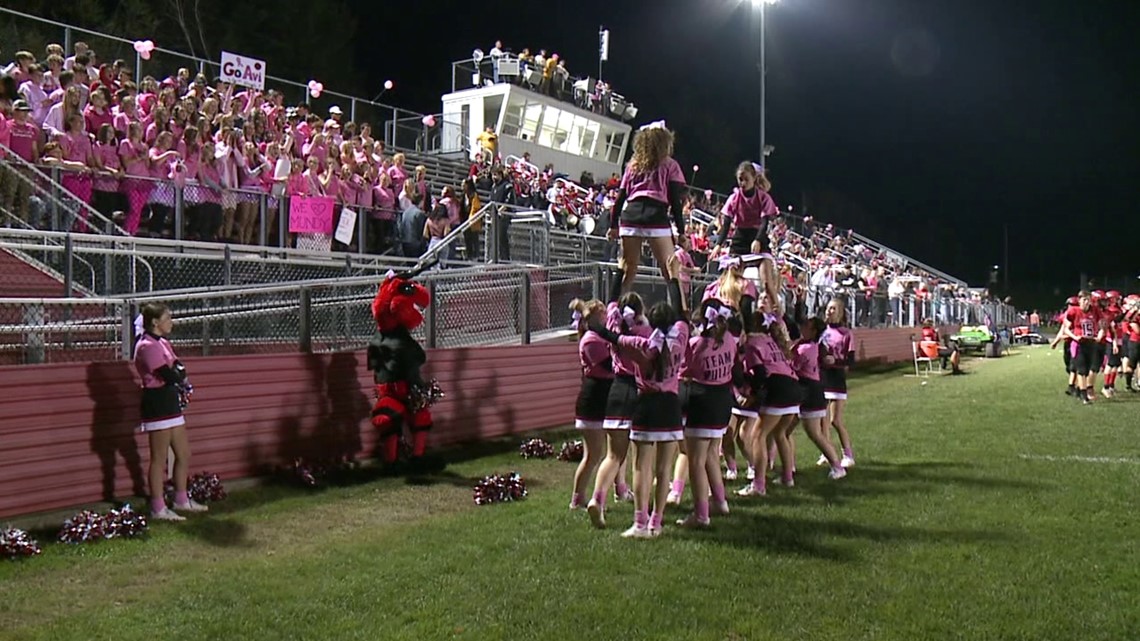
983	507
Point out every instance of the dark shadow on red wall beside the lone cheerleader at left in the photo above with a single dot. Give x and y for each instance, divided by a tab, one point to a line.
112	390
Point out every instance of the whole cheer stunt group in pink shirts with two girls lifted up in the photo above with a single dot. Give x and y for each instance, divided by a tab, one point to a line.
687	387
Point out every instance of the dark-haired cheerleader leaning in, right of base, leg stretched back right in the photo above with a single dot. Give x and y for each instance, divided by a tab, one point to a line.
808	356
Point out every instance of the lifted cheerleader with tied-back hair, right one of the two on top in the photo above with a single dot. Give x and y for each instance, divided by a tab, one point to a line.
747	214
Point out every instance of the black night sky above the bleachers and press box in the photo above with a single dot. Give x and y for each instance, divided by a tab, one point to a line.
927	125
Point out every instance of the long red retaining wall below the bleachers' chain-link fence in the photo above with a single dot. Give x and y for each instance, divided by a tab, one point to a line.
67	431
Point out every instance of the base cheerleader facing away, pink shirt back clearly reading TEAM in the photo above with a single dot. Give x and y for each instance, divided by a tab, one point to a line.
707	396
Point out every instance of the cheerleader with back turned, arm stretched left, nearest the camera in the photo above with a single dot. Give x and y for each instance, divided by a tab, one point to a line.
656	425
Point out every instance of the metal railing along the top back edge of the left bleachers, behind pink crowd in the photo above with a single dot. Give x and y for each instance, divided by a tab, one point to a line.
111	47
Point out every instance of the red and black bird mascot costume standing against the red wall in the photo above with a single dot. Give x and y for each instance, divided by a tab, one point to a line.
403	396
